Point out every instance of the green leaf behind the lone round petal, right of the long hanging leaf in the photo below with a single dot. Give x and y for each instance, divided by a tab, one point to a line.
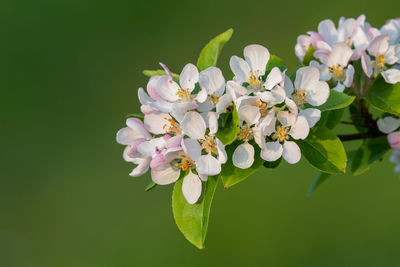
232	175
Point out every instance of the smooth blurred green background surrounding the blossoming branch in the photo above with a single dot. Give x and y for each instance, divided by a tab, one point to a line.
69	73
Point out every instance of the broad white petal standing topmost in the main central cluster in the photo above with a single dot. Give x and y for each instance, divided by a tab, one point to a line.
257	57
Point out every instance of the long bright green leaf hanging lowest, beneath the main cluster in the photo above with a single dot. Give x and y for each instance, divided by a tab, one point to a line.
192	219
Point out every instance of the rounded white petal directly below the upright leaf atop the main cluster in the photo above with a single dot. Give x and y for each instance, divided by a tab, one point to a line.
212	80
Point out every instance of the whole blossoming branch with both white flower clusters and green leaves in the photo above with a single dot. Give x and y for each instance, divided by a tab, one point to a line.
198	127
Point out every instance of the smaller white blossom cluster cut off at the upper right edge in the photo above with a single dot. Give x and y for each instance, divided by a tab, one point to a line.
337	49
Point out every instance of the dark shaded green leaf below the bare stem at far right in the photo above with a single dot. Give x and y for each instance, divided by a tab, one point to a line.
370	152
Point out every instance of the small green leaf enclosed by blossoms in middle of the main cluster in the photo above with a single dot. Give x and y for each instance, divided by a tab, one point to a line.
228	126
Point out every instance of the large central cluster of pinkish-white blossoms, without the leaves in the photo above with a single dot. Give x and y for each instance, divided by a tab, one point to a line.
179	132
